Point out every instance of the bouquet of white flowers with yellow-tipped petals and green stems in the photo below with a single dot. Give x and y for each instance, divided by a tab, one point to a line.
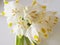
31	23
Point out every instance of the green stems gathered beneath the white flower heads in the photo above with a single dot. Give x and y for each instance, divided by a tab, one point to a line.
20	41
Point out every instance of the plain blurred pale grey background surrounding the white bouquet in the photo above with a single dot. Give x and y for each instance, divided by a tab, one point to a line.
8	38
